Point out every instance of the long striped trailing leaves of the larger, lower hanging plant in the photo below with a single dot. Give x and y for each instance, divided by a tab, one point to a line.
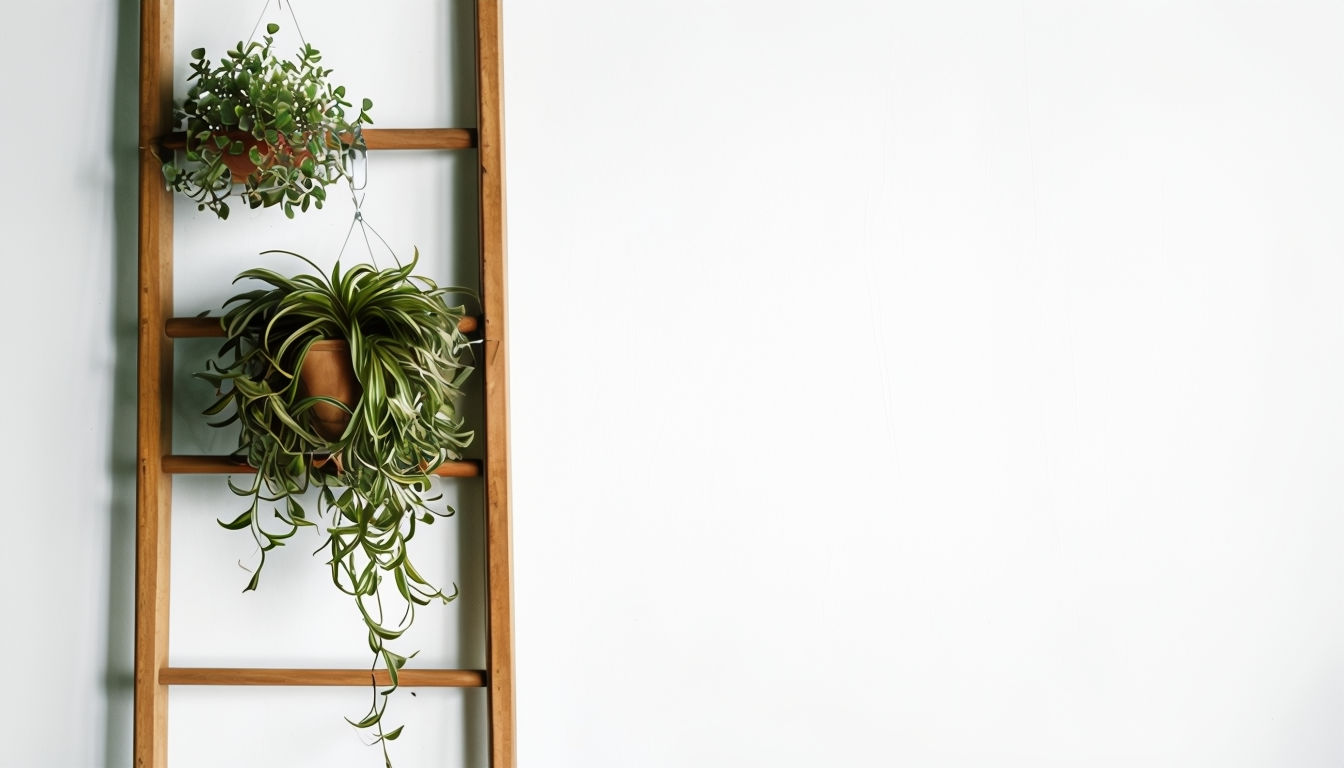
370	485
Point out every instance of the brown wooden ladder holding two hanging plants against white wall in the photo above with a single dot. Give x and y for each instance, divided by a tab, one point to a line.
157	467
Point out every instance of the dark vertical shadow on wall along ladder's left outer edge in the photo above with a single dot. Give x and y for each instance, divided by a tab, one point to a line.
122	453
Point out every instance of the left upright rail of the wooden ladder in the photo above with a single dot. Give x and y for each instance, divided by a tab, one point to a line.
154	490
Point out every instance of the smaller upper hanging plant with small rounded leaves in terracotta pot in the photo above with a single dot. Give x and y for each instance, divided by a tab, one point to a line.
283	115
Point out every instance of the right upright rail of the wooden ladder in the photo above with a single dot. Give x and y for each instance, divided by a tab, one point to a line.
494	298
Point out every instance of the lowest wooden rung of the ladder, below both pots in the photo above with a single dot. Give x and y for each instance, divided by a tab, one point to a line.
265	677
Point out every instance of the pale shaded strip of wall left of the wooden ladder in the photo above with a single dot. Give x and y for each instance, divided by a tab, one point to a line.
68	319
